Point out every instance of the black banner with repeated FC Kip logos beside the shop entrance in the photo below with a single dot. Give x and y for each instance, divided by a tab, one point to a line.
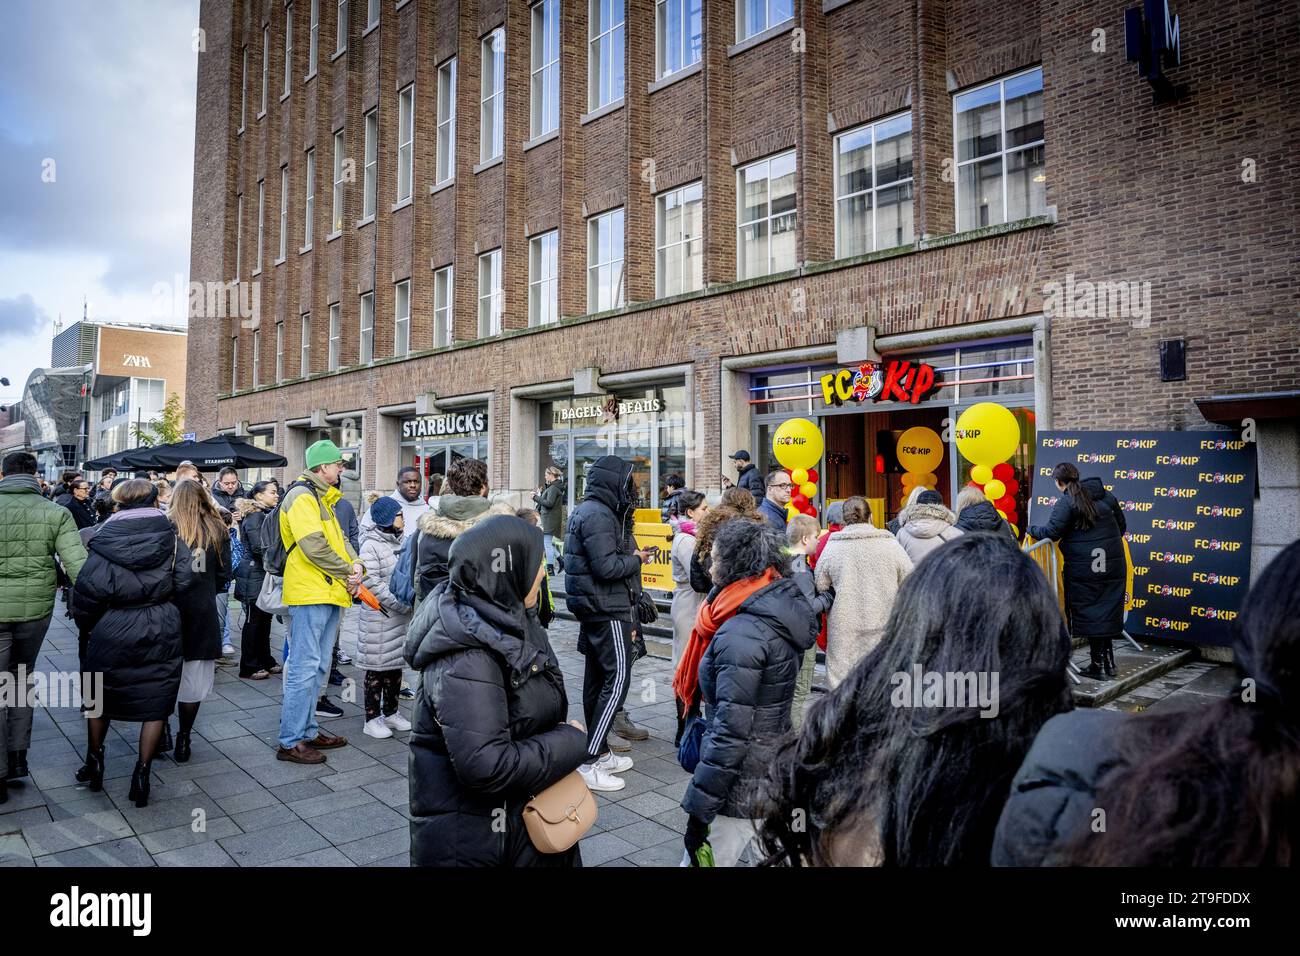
1189	501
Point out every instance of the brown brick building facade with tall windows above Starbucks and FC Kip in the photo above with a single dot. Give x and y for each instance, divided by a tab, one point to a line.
1191	205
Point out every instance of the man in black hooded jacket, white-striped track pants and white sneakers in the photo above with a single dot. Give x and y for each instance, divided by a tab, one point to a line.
603	572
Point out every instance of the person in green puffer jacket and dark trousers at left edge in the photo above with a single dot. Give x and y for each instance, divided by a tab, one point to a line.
33	531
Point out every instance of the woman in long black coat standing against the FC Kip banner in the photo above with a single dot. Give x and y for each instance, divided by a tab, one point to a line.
1089	526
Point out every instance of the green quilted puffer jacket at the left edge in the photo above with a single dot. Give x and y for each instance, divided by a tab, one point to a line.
33	530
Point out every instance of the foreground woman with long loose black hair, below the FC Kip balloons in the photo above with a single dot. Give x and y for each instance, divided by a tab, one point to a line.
882	773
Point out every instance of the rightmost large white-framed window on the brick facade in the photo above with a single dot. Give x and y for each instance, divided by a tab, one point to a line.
1002	175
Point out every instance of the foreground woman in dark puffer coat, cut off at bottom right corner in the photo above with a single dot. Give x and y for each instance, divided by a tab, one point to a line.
1212	788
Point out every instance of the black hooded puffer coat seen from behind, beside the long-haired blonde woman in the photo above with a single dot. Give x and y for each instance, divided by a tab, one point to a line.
125	599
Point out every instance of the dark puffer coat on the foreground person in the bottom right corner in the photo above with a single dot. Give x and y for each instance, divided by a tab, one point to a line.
1055	793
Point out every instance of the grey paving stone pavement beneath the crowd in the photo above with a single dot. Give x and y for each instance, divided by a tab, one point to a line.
233	804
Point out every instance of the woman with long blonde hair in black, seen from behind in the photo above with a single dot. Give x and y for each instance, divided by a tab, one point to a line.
202	530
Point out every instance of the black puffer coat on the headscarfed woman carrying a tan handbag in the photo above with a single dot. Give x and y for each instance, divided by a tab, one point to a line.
489	733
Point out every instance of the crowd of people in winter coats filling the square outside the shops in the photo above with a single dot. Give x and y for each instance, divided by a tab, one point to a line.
457	586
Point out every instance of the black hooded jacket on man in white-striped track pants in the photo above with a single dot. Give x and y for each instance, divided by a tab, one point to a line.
601	573
